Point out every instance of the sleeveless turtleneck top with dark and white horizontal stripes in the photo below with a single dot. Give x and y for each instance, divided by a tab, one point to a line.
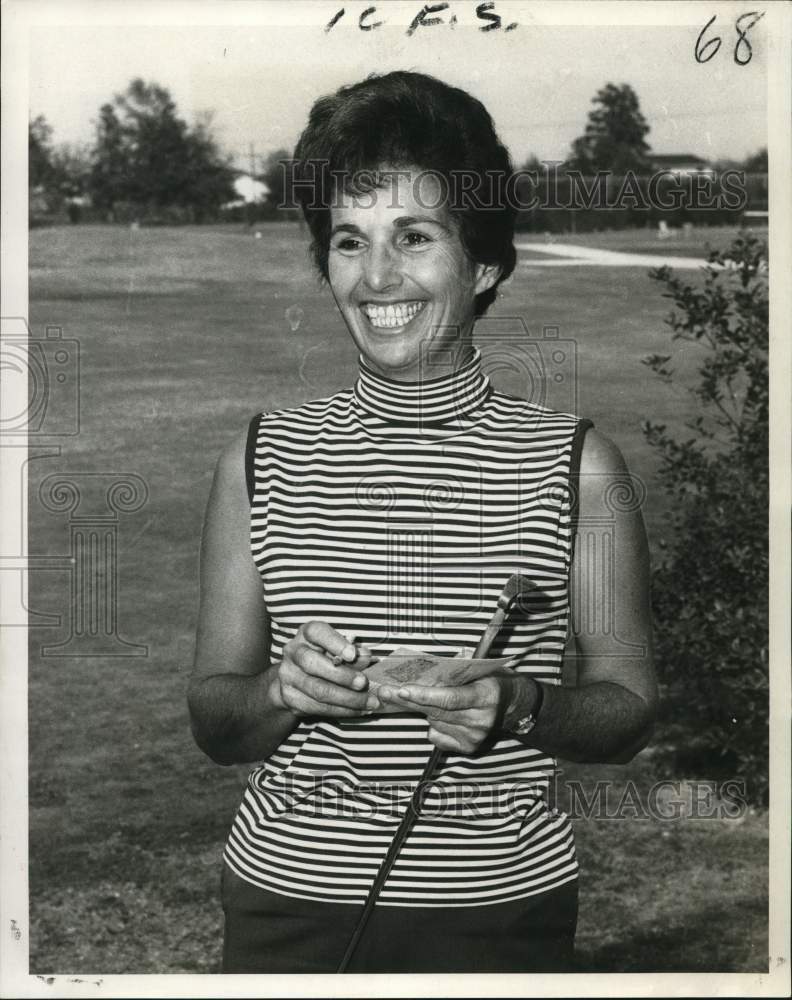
396	511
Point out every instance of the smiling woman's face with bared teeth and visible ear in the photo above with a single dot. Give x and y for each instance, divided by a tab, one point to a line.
401	277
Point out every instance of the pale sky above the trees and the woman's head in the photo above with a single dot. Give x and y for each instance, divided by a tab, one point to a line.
537	80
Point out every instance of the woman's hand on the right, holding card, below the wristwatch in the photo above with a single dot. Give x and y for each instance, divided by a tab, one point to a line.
460	718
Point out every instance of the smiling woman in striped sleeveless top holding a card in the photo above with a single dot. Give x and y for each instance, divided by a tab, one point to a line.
391	514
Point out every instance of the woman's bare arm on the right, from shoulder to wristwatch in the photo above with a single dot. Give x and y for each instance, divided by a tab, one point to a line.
608	715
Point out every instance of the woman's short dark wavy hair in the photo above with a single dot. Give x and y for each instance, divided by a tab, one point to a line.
404	119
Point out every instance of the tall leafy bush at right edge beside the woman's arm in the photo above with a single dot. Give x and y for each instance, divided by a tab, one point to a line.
711	587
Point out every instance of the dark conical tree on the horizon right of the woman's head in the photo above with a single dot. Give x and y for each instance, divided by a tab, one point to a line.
615	134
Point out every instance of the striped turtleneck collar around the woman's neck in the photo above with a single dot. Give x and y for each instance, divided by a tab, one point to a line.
436	400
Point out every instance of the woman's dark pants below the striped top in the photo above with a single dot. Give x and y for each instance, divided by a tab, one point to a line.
269	933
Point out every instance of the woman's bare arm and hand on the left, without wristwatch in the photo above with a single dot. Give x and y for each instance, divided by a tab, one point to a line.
242	706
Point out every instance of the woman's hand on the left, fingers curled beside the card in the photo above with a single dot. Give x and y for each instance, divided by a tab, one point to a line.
307	682
